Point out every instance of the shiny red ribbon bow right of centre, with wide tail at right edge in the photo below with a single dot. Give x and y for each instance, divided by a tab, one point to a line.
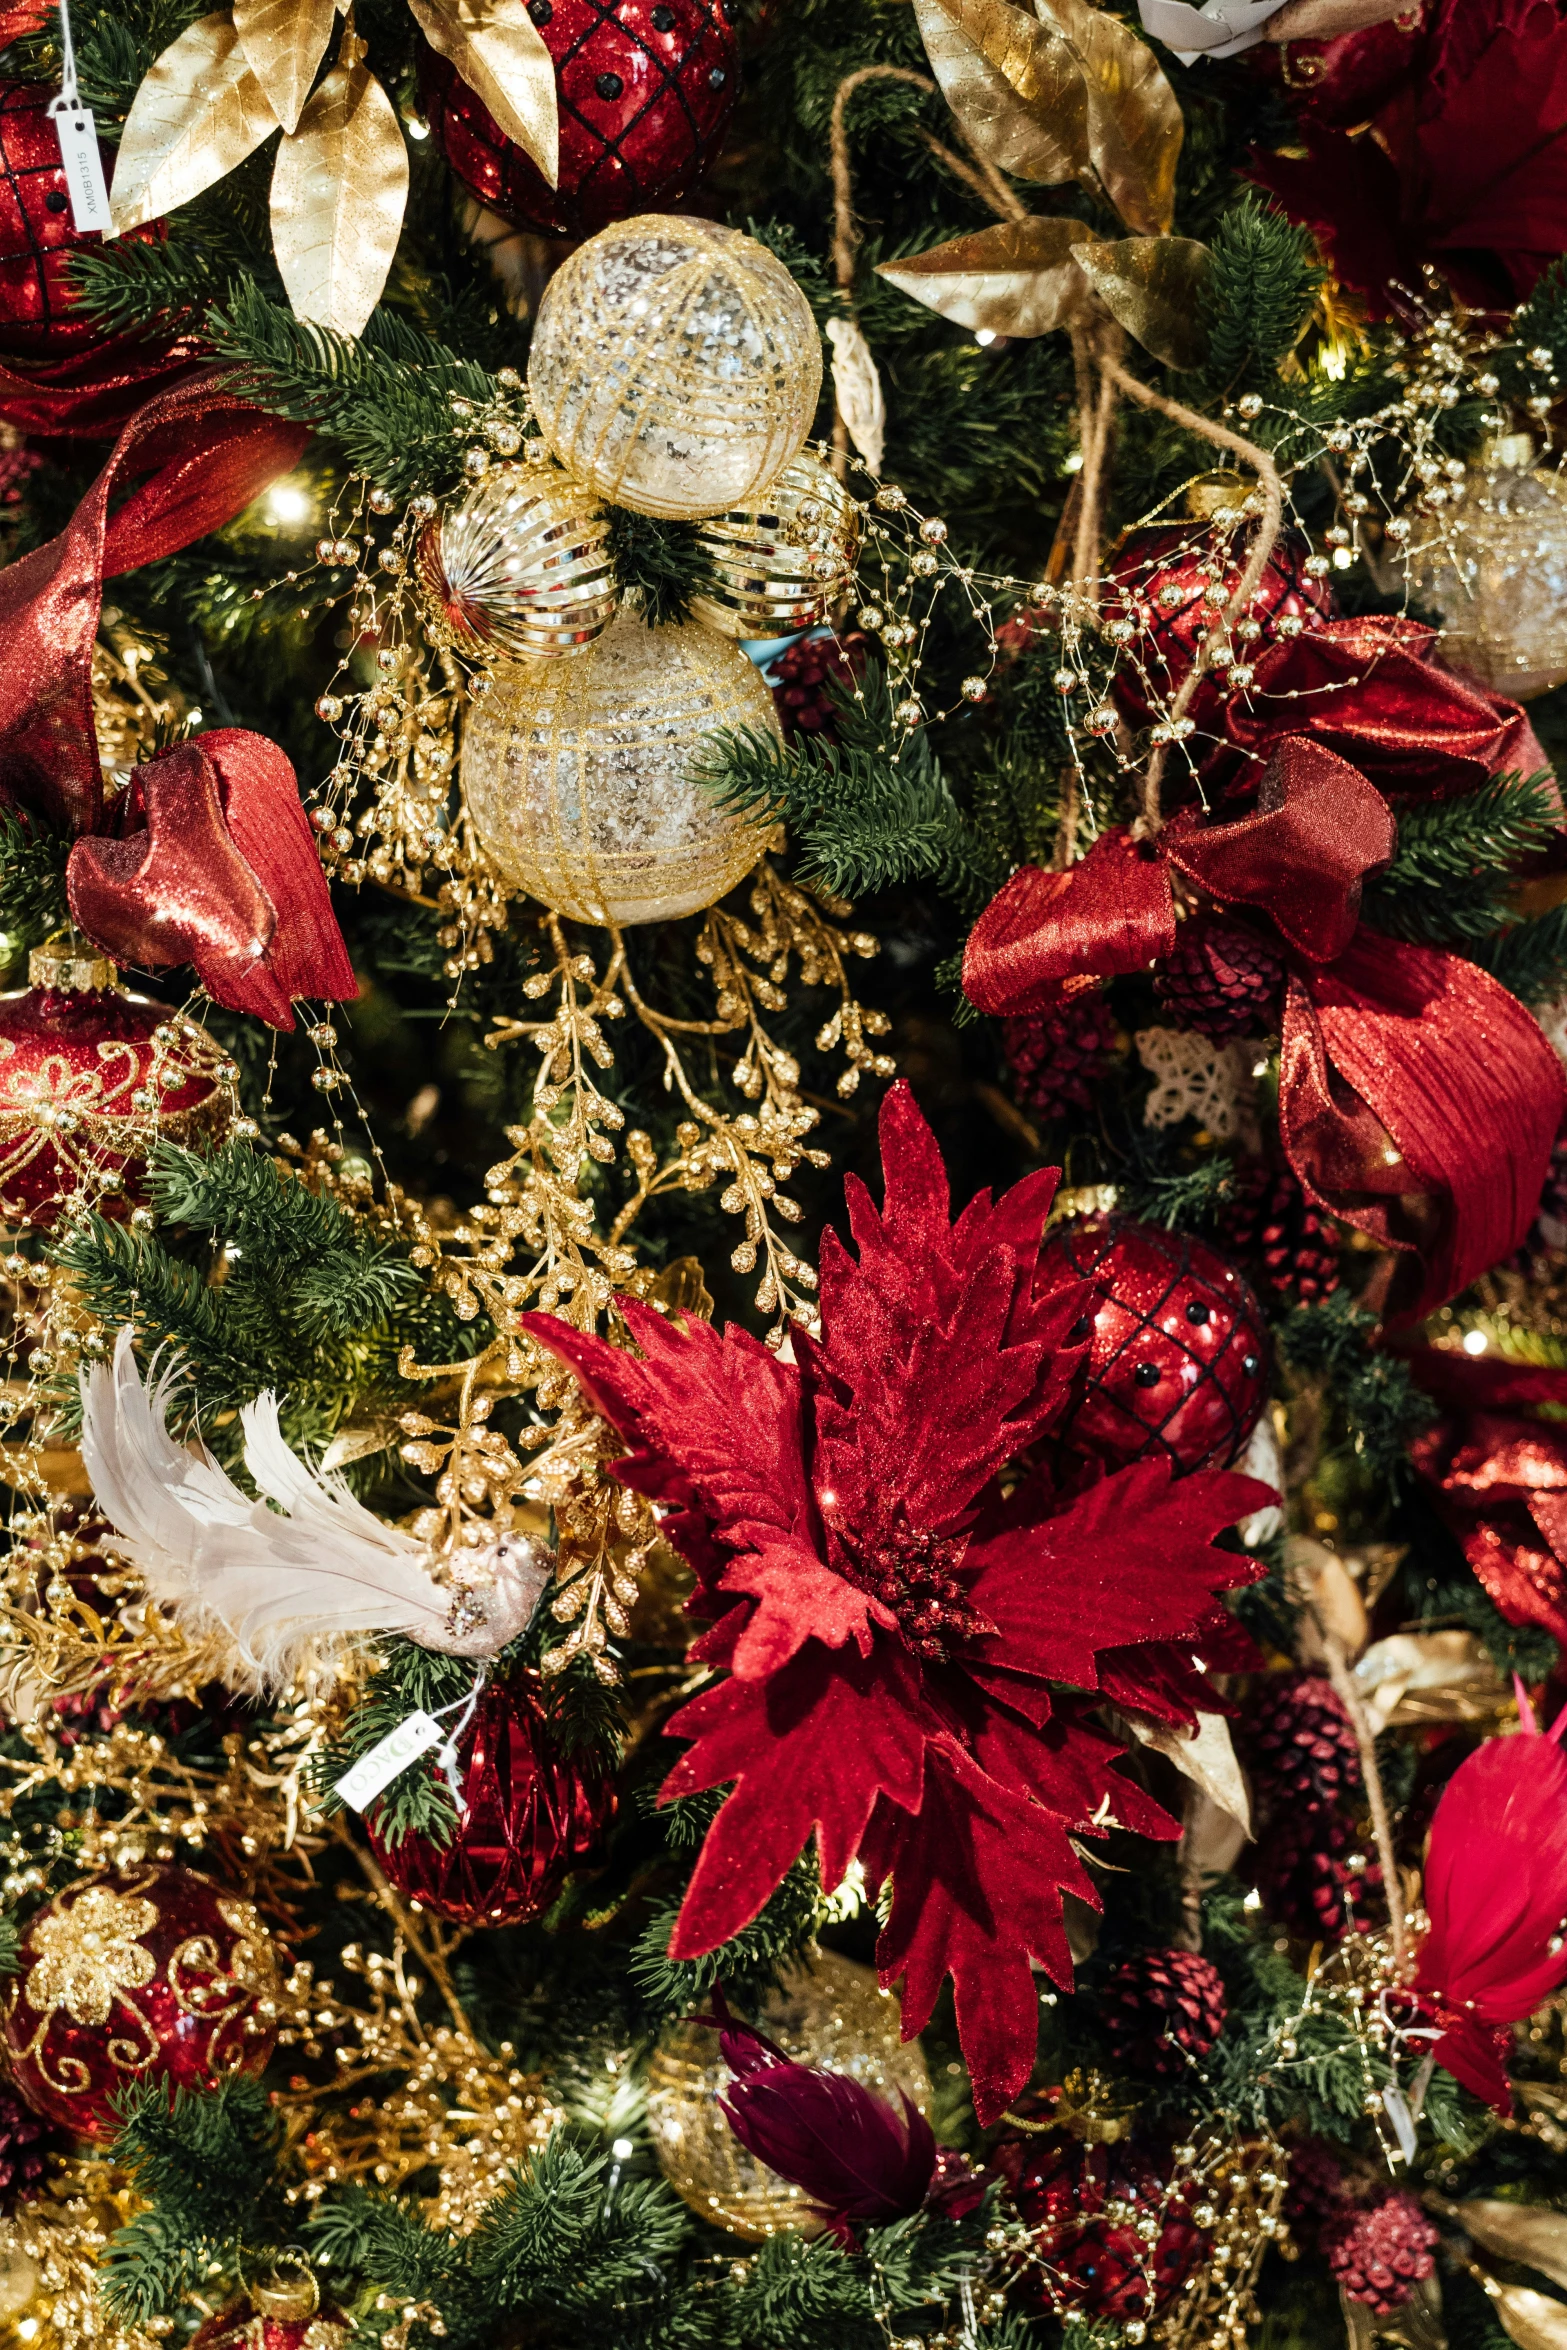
1418	1096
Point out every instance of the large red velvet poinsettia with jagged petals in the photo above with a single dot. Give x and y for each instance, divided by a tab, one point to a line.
892	1625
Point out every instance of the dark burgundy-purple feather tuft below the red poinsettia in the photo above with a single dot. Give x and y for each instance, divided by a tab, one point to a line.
847	2149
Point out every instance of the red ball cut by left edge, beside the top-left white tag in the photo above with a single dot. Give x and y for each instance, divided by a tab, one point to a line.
41	314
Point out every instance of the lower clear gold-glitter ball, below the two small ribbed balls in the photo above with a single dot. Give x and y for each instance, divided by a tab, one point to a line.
579	774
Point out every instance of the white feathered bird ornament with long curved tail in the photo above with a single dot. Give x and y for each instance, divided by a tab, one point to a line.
281	1580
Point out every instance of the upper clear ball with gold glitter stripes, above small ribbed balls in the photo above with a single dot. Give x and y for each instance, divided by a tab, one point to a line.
675	365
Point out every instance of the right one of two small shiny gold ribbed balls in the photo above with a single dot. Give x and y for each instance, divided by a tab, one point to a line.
776	565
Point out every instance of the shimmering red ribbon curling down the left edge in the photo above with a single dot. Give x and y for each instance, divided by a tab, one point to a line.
208	857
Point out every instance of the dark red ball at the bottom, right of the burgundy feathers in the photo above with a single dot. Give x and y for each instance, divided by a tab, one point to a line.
1087	2264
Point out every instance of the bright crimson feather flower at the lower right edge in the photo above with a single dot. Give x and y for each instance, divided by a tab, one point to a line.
1498	1902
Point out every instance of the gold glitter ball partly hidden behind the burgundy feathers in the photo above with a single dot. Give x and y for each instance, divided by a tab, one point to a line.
830	2013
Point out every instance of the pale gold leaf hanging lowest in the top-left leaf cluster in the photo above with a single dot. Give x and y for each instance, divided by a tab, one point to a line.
339	194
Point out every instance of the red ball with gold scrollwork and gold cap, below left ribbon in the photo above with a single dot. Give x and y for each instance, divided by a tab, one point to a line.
88	1087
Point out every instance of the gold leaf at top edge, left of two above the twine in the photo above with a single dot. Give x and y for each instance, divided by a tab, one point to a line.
1014	86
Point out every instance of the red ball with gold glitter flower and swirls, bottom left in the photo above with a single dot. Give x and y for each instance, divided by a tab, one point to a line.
149	1975
